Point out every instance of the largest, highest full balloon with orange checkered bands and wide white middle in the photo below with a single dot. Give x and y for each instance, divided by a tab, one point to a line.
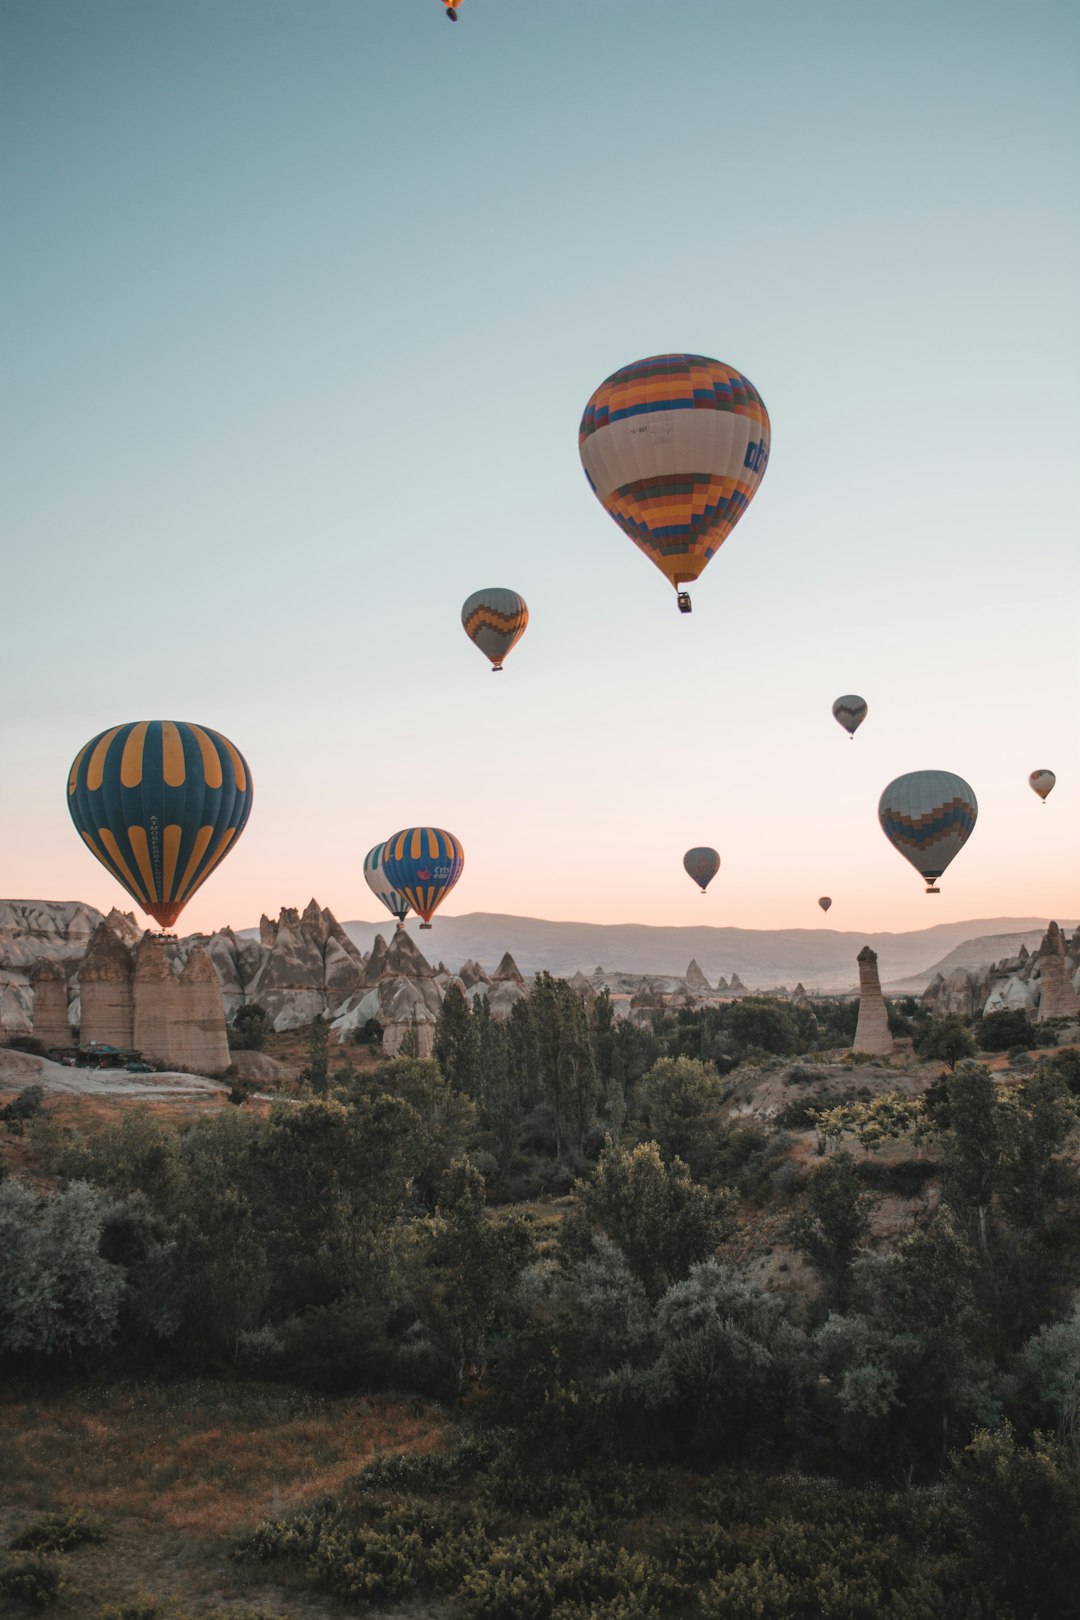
674	450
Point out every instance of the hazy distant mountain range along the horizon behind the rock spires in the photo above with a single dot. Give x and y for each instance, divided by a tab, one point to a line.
763	958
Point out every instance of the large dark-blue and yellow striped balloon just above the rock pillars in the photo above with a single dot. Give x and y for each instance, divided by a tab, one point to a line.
159	803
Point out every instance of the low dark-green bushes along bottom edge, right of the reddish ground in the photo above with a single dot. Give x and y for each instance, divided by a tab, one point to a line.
503	1541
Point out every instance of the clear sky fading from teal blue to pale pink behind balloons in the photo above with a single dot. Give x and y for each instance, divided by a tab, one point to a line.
302	305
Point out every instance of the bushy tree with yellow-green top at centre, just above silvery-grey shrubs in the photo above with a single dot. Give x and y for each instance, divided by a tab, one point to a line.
660	1219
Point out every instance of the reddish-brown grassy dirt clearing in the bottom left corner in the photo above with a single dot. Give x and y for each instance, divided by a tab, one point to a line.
174	1475
